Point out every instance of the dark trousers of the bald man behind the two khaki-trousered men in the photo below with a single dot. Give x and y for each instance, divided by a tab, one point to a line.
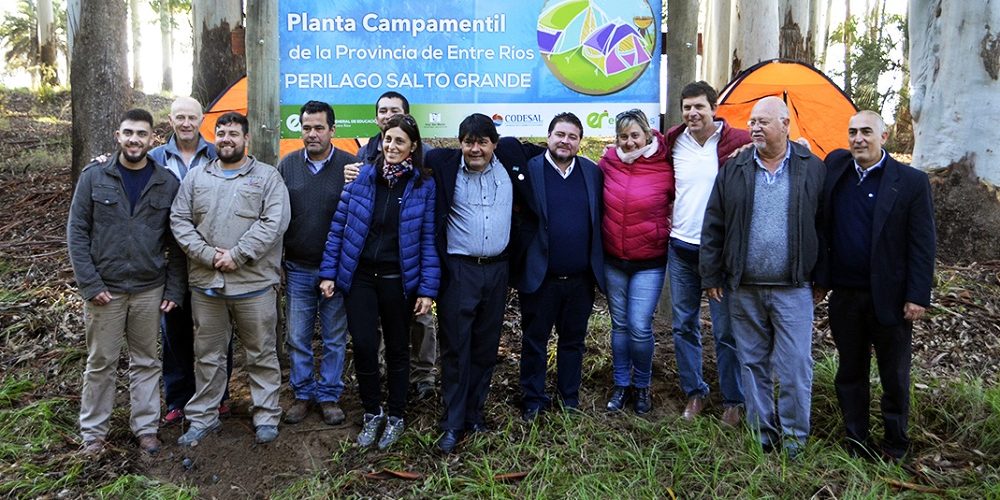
177	336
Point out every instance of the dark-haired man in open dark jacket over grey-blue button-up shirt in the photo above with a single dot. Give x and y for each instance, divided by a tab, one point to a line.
477	189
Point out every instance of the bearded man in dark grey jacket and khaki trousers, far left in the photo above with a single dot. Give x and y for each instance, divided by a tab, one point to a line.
128	271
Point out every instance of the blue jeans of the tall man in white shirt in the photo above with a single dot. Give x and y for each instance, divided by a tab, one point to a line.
685	296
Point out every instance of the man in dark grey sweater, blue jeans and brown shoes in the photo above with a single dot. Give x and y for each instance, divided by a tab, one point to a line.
314	176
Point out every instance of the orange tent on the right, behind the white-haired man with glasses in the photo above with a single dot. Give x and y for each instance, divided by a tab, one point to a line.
817	108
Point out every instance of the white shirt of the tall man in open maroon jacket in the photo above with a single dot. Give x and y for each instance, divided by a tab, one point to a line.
695	169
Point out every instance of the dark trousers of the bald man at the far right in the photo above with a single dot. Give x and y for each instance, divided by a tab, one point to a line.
855	332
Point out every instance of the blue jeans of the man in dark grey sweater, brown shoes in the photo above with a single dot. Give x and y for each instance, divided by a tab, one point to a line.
304	303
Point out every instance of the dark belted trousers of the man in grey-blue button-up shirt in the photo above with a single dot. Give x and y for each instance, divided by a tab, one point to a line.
470	314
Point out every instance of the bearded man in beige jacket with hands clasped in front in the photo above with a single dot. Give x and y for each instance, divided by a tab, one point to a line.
229	217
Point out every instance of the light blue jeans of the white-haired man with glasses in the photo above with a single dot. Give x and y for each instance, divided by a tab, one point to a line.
773	327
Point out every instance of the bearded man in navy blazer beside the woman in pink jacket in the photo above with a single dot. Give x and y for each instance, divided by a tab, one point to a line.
562	262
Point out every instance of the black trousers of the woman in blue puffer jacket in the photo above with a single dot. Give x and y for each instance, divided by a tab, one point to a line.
373	298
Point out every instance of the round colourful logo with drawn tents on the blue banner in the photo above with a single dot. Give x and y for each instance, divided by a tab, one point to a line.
597	47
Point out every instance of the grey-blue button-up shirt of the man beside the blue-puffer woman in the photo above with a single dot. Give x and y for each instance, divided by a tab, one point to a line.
479	222
